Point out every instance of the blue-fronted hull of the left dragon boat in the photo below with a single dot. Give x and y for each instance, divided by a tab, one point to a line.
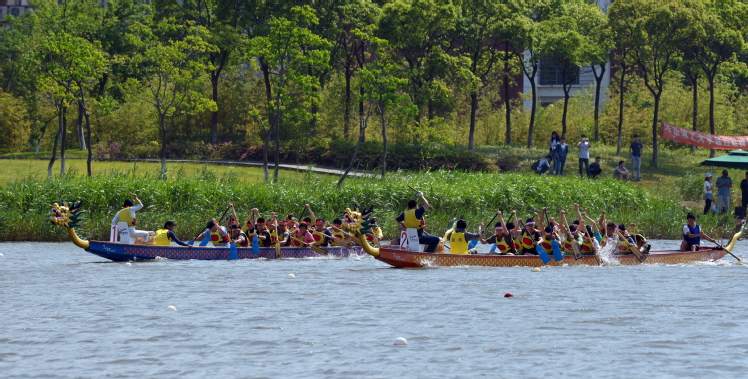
126	252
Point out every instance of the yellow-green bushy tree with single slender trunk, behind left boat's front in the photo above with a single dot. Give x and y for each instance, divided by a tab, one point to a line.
173	71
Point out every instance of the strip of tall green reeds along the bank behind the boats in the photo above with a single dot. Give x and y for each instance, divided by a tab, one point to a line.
191	199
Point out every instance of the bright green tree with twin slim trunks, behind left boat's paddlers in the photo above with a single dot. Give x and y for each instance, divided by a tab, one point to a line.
281	51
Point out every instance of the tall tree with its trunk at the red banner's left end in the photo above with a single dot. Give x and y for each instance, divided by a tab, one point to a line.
659	31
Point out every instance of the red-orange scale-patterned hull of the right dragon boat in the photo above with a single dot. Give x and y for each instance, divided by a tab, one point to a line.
403	258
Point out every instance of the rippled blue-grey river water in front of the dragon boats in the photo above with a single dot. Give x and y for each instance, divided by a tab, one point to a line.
65	313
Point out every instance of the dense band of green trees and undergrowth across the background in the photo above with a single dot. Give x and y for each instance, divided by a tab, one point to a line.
153	77
